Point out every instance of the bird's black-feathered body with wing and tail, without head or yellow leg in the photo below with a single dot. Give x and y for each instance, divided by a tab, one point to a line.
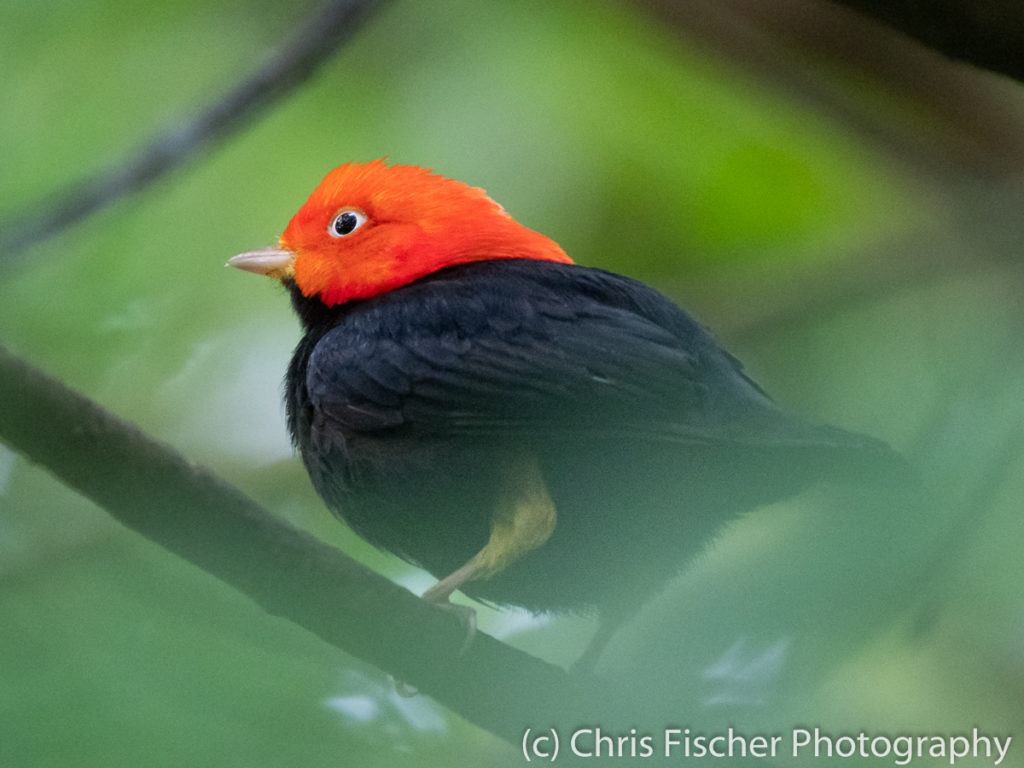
409	407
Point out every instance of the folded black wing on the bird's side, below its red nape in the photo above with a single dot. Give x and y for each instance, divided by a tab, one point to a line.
509	351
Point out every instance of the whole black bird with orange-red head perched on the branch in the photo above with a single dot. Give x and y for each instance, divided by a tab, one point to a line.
531	432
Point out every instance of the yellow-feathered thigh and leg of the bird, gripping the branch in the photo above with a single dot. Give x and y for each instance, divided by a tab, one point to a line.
524	521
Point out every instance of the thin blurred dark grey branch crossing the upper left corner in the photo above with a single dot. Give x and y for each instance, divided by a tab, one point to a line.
323	34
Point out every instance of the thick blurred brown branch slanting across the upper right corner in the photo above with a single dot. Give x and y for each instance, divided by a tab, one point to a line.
948	114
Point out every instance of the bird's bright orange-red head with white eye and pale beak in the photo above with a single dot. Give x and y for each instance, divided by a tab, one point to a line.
371	228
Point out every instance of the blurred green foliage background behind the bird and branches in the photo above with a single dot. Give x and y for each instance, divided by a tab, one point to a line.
842	206
